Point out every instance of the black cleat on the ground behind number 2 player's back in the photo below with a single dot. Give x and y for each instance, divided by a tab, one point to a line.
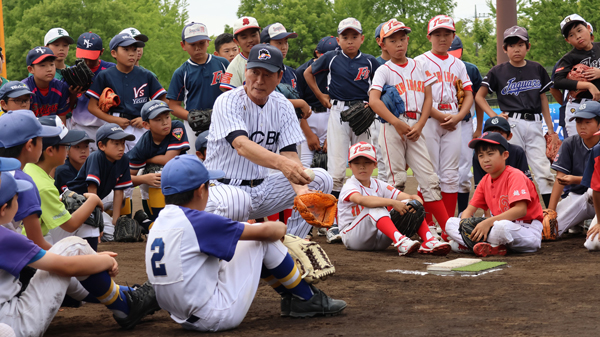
142	302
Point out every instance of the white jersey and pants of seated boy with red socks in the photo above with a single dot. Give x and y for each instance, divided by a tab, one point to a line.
358	224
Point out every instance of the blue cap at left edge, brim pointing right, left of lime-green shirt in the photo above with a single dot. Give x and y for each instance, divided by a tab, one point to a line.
19	126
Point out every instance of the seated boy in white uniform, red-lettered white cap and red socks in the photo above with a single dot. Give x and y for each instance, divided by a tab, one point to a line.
364	220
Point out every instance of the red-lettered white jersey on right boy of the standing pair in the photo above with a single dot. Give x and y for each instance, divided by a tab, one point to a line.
447	70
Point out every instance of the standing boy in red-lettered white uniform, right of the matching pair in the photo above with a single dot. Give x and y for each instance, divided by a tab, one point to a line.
442	132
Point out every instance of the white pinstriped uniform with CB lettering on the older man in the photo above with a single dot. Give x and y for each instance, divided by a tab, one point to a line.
250	191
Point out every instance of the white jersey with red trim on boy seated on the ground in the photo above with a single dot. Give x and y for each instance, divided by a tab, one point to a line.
347	210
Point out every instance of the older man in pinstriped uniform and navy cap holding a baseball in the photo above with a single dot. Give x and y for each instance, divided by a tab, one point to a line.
250	125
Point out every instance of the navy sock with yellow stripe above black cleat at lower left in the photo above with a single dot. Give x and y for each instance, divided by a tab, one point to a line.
107	292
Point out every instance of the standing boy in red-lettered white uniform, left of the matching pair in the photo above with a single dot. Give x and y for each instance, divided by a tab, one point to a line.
400	136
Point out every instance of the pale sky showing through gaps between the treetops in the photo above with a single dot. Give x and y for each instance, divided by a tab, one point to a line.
216	13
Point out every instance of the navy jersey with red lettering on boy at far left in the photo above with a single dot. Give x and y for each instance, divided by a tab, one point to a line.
54	101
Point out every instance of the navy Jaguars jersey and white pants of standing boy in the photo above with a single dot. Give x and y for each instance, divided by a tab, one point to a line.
519	90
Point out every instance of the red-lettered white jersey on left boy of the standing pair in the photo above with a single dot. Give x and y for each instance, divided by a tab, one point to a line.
409	79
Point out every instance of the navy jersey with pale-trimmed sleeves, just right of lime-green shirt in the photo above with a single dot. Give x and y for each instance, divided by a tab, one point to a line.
107	175
